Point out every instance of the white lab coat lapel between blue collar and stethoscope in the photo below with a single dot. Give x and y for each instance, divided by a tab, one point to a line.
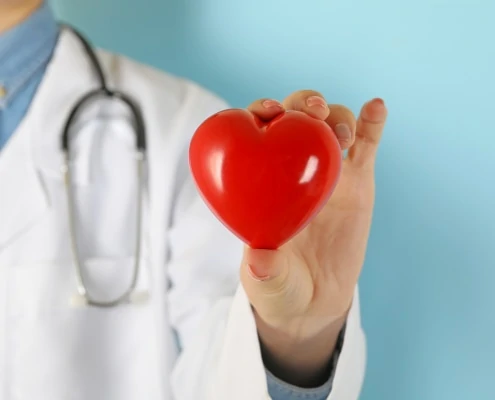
34	148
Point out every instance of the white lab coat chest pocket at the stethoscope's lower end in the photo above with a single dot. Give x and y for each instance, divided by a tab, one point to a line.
56	351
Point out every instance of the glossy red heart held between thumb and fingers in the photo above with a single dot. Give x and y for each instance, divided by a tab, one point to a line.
265	181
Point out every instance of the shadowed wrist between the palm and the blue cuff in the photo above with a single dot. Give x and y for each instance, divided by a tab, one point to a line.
300	352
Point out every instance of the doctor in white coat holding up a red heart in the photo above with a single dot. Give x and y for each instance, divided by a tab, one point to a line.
286	327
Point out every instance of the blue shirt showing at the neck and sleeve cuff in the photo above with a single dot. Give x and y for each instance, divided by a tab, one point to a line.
25	52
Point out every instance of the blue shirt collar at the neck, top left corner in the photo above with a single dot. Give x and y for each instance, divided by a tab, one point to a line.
24	49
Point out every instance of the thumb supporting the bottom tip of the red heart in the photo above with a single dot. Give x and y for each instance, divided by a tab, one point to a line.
276	287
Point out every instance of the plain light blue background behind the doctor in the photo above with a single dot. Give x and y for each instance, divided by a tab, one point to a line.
428	285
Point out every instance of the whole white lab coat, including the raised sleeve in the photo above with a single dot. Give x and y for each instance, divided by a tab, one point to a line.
54	351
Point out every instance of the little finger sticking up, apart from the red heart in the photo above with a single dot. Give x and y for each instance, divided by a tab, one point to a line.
369	129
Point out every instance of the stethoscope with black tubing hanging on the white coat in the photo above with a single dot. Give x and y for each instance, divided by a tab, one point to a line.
84	296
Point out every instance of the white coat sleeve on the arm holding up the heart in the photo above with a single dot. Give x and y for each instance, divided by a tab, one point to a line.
220	357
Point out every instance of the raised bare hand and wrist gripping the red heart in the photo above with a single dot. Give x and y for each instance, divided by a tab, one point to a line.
301	292
